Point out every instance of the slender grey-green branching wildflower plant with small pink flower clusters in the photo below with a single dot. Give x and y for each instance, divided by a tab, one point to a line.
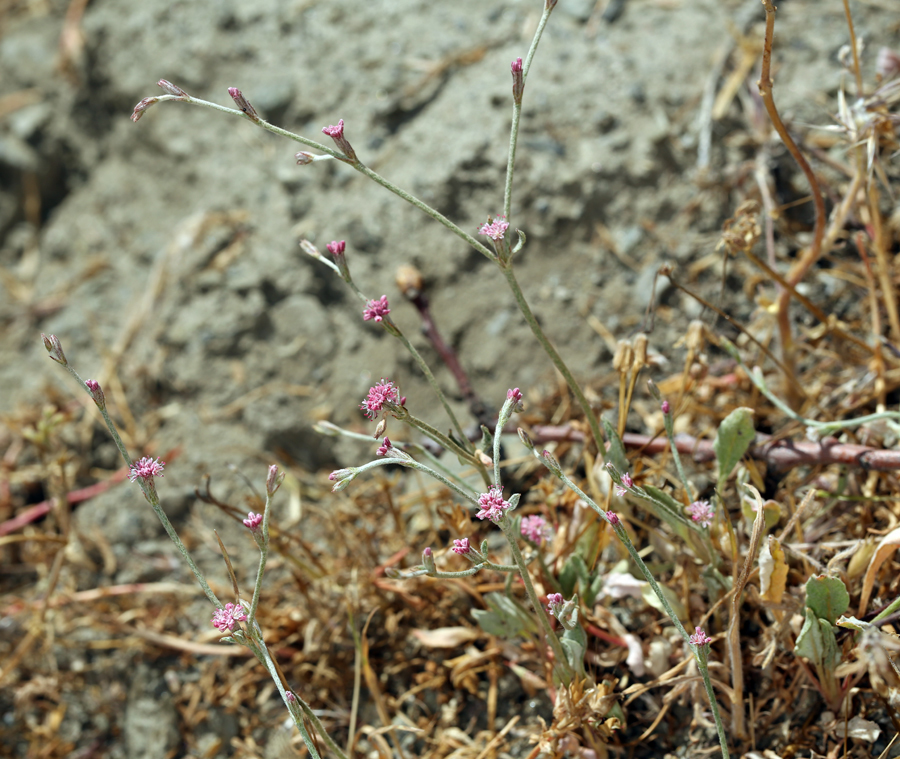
488	499
